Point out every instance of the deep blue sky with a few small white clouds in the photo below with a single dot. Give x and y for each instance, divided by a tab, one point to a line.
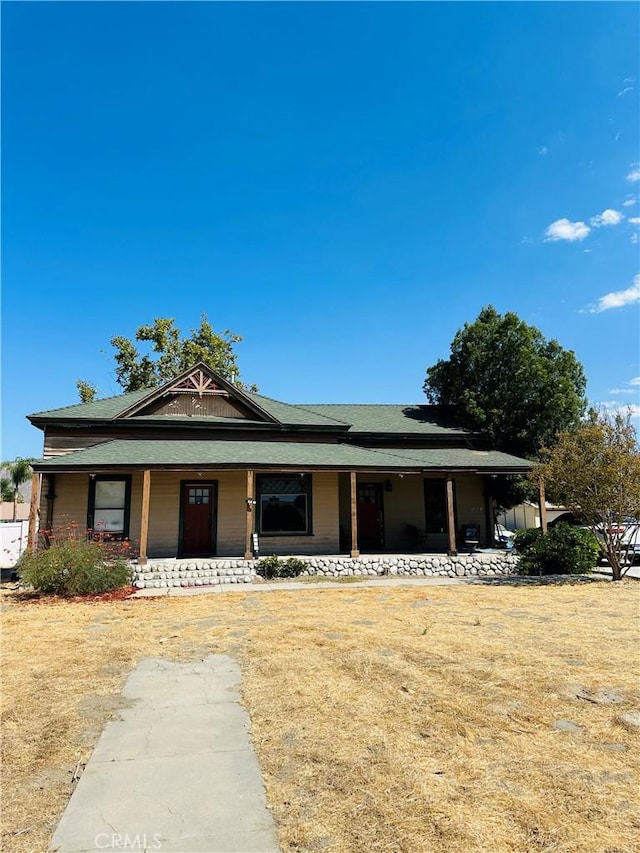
343	184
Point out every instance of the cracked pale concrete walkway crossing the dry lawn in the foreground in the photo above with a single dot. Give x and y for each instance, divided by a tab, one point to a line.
177	773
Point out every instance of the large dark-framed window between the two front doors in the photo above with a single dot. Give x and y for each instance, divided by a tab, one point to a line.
284	504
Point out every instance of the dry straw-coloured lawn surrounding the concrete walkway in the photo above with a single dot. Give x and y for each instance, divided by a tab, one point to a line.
385	719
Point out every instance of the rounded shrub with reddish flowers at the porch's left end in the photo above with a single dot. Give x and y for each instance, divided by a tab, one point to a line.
74	566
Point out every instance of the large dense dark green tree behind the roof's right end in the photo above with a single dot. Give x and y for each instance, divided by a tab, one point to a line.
504	379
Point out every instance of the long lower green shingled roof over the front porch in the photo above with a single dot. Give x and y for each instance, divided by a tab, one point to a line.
274	454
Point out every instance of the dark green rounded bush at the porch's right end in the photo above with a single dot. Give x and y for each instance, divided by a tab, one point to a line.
563	550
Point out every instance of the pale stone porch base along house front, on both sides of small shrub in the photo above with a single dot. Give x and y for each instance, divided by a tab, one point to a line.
210	572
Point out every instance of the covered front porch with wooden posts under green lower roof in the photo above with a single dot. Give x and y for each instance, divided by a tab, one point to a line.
236	499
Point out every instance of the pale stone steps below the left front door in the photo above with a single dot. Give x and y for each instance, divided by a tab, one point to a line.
166	573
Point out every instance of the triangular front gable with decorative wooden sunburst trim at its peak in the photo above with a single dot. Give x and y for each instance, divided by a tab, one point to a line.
200	383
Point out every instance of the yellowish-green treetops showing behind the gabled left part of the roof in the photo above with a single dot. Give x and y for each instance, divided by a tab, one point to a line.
168	354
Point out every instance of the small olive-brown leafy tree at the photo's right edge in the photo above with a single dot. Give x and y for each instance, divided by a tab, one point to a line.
594	470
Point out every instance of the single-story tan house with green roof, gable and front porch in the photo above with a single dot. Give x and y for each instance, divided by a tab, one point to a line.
199	467
